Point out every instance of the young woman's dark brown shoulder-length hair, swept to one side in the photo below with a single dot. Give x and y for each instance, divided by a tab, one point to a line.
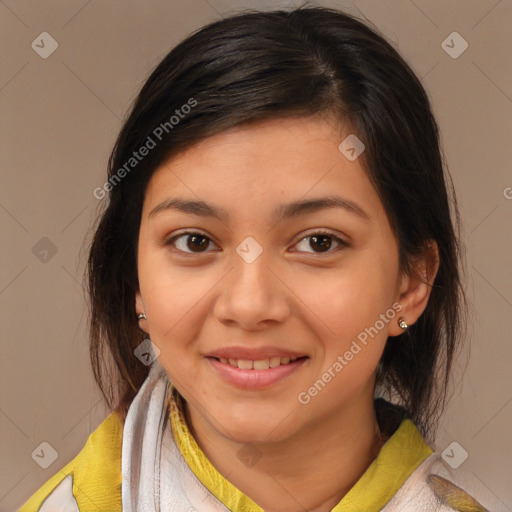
262	65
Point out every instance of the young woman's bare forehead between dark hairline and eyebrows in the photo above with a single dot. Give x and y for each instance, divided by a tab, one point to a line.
256	166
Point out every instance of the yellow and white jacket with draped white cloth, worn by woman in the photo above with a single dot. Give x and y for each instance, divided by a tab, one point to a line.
119	470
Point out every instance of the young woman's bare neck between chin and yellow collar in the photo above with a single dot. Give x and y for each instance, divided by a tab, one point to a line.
311	470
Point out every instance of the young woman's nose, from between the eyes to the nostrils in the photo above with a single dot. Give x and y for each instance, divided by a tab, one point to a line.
253	296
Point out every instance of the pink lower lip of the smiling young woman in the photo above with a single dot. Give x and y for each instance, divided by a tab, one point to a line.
255	379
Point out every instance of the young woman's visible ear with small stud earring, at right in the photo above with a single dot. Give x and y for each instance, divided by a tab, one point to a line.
415	287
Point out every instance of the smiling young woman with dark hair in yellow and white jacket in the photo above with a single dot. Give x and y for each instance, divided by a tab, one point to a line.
277	280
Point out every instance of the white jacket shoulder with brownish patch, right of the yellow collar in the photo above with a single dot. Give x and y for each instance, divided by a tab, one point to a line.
434	486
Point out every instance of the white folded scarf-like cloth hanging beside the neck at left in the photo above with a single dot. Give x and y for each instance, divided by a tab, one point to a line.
147	447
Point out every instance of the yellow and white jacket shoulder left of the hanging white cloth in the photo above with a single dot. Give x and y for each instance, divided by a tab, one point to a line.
92	480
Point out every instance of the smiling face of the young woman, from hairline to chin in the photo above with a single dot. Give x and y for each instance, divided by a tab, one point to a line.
245	277
